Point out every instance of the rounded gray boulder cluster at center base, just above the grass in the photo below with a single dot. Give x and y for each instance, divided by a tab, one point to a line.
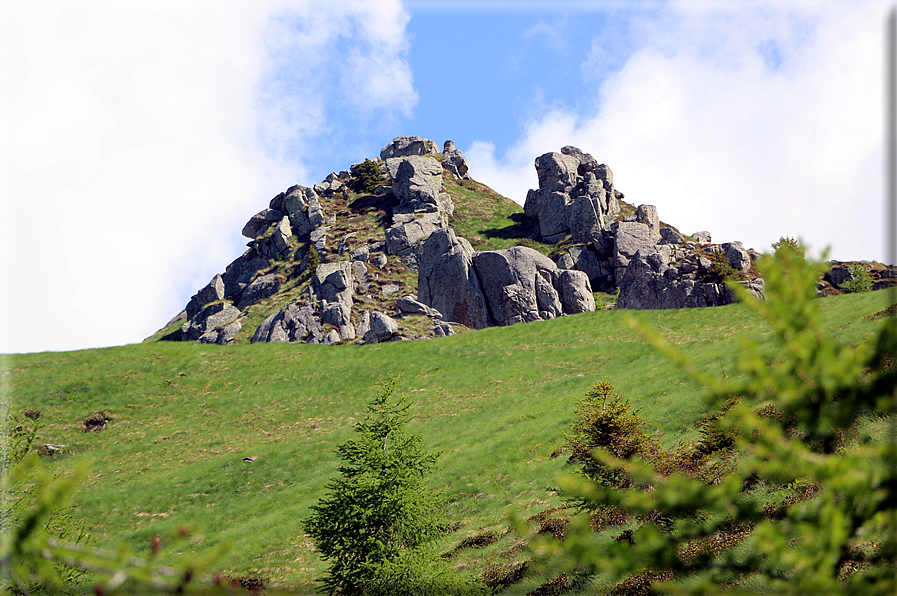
503	287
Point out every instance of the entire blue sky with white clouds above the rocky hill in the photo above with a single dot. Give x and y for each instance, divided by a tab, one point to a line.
137	137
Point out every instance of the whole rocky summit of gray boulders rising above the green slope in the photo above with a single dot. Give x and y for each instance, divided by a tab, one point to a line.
377	253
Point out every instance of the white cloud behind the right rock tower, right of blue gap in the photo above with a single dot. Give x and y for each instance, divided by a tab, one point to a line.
751	122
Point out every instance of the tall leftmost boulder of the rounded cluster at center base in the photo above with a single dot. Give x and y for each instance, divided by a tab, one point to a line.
447	281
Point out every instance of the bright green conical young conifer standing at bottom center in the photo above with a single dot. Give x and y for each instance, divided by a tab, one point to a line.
379	512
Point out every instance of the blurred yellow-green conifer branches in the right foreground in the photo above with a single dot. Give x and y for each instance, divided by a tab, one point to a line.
803	510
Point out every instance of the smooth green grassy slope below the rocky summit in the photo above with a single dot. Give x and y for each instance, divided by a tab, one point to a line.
495	402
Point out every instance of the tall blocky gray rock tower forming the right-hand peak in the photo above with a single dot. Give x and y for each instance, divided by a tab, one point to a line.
575	196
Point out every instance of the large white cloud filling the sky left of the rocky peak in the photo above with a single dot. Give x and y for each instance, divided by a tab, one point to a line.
132	151
